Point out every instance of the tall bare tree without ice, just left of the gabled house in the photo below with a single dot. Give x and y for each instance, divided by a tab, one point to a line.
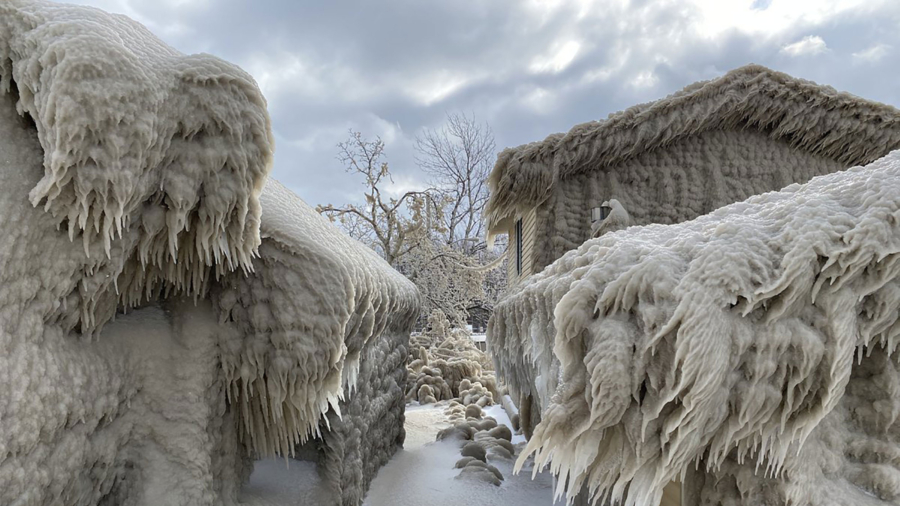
458	158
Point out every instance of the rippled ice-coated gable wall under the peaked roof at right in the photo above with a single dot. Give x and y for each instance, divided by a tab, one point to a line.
692	177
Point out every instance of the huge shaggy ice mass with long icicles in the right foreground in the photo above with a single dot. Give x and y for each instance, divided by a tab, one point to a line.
751	351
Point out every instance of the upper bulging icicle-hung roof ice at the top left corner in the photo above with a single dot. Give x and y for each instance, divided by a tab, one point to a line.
165	152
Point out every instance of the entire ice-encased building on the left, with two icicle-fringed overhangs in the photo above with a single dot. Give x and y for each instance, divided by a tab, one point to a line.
167	312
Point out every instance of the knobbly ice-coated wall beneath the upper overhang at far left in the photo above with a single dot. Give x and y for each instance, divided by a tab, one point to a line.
124	416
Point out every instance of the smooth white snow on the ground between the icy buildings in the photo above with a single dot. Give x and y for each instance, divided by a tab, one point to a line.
422	473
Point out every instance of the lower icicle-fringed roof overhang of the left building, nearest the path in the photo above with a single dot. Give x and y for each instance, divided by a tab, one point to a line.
315	300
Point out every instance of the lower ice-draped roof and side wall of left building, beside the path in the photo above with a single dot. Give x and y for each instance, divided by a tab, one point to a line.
321	317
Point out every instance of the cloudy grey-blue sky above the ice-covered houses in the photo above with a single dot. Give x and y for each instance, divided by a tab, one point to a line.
528	68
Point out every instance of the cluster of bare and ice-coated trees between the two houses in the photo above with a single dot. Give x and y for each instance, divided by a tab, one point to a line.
434	236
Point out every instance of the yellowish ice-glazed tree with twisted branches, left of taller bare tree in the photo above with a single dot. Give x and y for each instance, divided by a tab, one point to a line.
393	226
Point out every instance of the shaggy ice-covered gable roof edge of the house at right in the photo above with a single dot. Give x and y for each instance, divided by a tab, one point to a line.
809	116
